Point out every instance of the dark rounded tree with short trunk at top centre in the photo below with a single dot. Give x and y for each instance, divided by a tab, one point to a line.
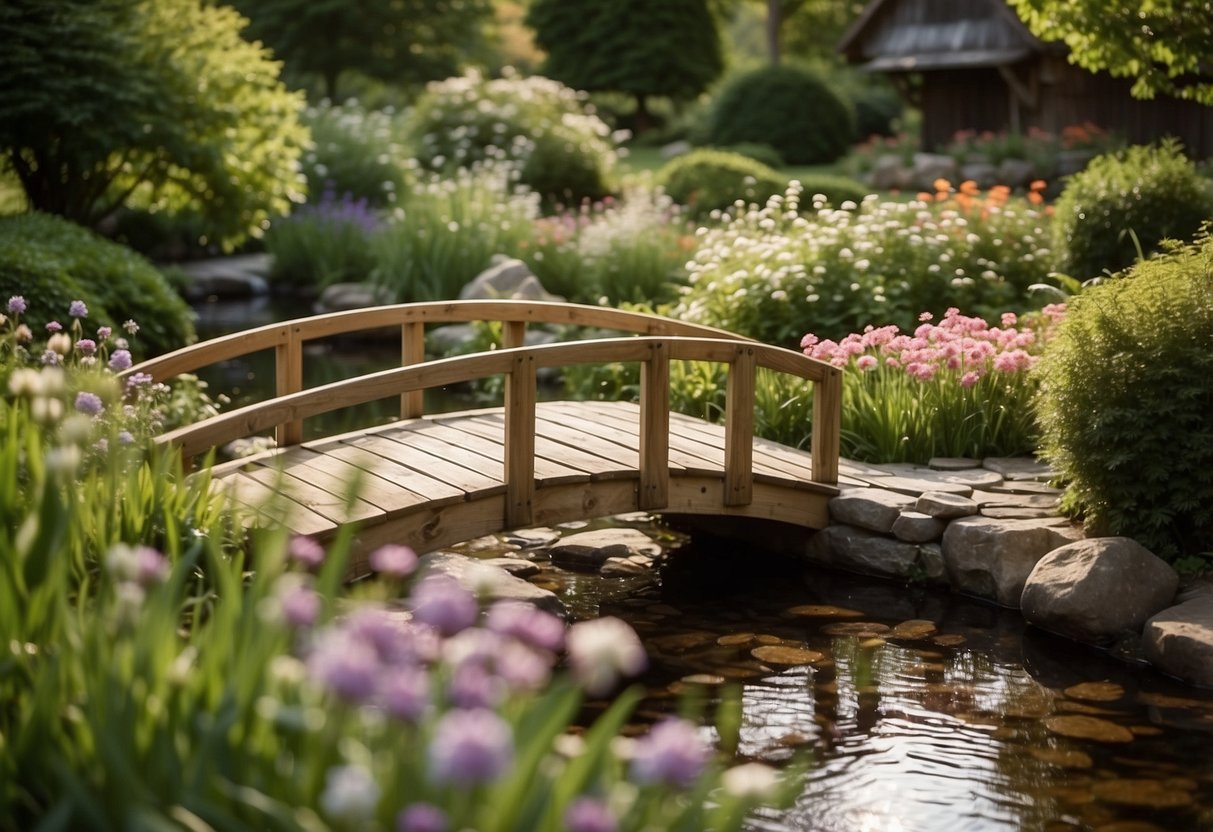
635	47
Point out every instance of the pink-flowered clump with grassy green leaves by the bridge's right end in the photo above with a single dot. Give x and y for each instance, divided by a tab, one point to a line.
955	389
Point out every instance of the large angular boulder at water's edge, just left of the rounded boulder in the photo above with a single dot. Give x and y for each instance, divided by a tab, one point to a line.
993	559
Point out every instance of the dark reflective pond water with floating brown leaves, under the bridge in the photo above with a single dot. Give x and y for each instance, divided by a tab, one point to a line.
921	711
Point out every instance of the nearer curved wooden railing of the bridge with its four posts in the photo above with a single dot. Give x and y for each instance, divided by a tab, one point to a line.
520	367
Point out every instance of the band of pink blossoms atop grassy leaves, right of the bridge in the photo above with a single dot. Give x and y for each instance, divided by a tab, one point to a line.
960	345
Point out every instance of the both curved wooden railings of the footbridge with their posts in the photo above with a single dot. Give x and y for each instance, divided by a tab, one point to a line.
662	341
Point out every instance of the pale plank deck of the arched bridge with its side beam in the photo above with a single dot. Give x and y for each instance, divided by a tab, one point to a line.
436	481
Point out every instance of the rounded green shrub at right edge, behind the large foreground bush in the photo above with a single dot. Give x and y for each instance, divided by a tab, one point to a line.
1123	202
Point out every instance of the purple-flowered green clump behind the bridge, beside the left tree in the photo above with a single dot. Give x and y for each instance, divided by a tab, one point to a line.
323	243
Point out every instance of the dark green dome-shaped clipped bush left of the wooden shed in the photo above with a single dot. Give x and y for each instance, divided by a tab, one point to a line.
790	109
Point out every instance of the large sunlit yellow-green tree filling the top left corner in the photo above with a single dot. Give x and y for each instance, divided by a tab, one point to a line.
152	104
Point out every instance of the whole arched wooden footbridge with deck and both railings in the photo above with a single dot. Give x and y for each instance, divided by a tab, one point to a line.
431	481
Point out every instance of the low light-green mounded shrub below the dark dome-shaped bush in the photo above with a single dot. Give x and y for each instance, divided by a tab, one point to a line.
708	181
